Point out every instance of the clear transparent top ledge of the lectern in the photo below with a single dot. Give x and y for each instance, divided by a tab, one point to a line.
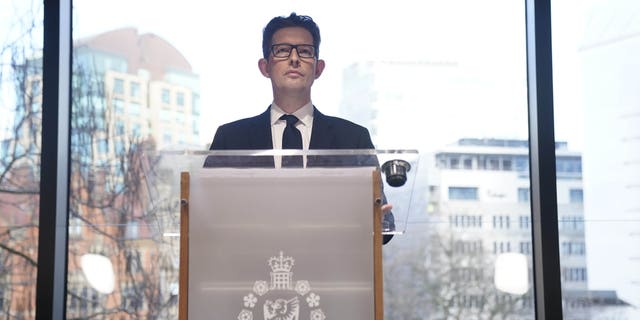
398	169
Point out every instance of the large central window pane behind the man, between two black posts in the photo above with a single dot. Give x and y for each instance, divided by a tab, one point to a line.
445	91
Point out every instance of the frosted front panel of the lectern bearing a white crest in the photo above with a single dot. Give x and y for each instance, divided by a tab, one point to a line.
281	244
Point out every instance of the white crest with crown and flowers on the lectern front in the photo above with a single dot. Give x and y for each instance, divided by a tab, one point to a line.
281	298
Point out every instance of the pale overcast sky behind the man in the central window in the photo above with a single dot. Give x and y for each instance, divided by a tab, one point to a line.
485	39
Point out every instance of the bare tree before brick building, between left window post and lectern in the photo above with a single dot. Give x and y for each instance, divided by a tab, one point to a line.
120	204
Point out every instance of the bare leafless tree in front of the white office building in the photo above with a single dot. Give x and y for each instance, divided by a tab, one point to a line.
446	276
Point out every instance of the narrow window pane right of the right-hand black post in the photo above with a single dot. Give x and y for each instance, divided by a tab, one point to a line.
597	114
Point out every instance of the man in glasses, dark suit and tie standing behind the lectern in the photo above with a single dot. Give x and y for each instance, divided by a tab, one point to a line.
291	61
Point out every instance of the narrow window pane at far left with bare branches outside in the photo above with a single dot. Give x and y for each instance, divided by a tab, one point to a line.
21	29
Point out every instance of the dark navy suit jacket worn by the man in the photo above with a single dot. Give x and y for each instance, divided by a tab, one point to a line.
327	133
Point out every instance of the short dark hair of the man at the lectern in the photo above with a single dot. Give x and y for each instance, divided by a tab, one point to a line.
293	20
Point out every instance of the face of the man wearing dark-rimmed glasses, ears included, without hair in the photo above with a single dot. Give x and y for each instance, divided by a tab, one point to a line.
293	74
